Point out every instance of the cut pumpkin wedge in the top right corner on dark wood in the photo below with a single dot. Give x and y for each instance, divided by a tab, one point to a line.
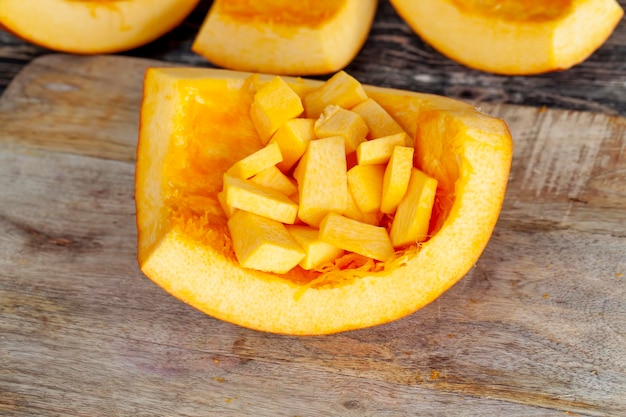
513	36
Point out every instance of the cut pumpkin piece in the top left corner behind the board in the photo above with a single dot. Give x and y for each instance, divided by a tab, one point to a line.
92	26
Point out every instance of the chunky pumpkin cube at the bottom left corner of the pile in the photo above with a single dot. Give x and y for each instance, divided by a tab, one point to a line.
263	244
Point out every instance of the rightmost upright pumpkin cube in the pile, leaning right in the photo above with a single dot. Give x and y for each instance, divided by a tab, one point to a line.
410	224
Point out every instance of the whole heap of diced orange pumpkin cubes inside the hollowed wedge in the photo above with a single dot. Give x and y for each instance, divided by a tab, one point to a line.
335	175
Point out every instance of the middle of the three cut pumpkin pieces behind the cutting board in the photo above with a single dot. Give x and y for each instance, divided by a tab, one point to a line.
285	36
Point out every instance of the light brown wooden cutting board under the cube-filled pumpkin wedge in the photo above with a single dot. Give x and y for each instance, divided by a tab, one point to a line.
537	328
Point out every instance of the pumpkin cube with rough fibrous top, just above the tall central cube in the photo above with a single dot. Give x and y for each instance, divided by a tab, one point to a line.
337	121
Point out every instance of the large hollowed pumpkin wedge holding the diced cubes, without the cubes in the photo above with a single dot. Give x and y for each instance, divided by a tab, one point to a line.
195	124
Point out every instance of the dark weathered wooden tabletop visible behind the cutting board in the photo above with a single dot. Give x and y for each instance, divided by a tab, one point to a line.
394	56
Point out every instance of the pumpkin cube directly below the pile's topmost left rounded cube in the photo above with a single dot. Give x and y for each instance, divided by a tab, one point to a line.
293	138
